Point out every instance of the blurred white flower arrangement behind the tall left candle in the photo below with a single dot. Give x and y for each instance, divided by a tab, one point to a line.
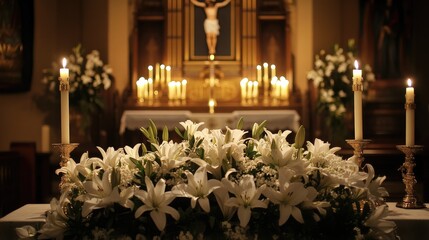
88	78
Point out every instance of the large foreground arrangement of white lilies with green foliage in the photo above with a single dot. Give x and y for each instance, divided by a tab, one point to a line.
219	185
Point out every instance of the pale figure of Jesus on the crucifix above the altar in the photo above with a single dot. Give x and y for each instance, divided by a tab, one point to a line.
211	23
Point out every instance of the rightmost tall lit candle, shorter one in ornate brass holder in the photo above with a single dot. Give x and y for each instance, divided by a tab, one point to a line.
409	114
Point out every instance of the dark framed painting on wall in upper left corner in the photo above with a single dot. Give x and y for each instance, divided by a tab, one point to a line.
16	45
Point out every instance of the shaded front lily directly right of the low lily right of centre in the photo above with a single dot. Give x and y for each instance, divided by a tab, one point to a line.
288	197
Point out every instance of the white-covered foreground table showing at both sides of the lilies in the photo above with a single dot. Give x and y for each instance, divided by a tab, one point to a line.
413	224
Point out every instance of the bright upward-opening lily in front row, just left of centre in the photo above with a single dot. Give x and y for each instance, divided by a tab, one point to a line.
198	188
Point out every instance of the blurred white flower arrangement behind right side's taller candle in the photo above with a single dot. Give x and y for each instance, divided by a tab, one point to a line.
332	78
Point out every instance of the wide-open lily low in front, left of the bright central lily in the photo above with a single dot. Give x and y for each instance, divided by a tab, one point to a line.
156	200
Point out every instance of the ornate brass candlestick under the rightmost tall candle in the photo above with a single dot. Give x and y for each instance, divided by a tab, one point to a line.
409	201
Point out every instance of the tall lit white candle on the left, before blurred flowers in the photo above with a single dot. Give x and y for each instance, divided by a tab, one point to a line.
65	121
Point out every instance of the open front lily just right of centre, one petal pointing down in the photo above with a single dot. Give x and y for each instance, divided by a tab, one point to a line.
246	197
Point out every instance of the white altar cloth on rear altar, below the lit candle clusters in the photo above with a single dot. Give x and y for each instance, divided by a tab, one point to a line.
276	119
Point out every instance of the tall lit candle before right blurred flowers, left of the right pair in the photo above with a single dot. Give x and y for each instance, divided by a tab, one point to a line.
357	87
